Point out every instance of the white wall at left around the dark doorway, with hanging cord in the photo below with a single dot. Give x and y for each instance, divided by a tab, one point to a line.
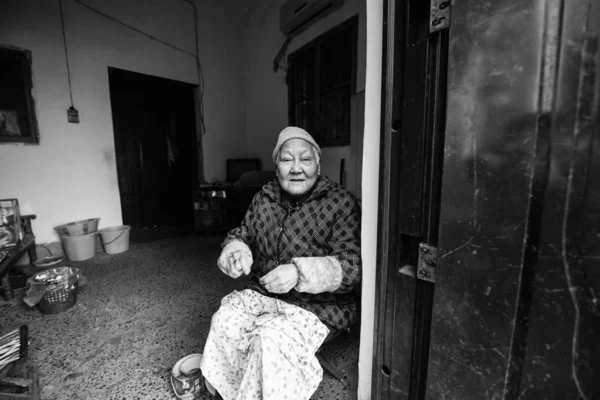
72	173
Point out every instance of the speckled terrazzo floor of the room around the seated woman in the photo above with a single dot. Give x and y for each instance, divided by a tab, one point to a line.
139	313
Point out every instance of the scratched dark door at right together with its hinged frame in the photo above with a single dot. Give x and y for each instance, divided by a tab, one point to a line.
489	243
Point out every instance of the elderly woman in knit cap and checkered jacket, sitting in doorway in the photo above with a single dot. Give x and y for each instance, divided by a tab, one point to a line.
300	244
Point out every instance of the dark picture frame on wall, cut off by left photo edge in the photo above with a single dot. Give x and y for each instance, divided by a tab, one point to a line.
18	123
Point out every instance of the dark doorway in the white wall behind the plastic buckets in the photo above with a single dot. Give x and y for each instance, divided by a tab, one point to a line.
155	144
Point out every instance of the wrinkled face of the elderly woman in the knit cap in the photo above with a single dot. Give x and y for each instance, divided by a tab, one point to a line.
297	167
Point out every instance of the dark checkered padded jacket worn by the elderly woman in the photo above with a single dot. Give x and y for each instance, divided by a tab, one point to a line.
327	223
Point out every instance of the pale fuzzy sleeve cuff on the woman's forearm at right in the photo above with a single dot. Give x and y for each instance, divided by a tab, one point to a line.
318	274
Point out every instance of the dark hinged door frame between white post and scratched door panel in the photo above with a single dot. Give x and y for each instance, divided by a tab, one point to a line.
412	155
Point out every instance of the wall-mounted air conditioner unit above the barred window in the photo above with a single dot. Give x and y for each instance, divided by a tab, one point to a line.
295	15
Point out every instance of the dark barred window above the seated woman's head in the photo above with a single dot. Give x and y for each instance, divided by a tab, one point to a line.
321	80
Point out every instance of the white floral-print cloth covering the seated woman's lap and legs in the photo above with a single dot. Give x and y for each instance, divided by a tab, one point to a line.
254	341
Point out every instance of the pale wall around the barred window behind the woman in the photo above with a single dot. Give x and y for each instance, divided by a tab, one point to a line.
266	91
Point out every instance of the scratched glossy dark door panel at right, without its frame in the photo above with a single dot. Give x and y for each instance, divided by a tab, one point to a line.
516	312
